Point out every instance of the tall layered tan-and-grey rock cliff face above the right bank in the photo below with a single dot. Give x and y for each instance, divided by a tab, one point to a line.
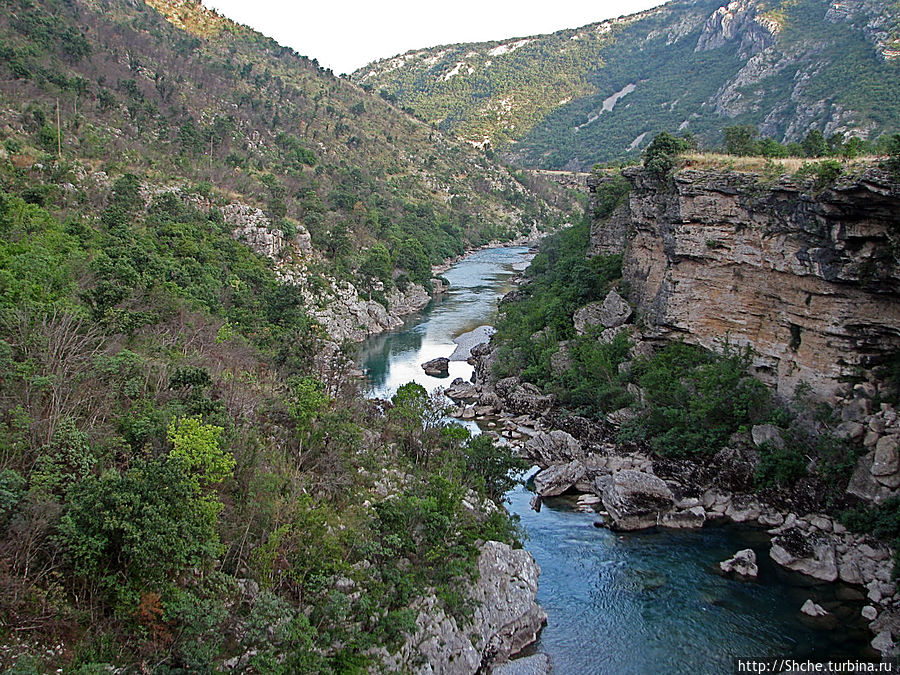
808	279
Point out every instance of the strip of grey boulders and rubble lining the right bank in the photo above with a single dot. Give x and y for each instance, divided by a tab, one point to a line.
630	489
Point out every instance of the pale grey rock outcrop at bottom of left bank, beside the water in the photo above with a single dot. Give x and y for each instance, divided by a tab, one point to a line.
507	618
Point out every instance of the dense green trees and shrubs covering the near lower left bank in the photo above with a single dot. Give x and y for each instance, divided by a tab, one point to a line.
182	479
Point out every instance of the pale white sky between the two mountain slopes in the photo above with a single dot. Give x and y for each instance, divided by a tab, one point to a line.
344	36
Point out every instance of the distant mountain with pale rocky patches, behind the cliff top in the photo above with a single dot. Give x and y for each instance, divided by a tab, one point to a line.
600	92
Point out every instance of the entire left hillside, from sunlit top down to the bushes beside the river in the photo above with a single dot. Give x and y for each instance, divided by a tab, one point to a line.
188	474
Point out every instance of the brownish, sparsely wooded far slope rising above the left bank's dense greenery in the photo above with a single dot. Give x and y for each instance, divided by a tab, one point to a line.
217	107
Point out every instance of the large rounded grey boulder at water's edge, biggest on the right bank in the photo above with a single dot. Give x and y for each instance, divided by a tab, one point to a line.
634	499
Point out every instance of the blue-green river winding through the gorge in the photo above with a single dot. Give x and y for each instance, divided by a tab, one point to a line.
621	603
